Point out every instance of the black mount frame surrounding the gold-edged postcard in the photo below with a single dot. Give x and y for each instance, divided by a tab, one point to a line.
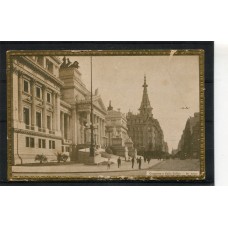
208	47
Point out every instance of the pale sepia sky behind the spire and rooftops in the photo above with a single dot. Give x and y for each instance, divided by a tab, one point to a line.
173	83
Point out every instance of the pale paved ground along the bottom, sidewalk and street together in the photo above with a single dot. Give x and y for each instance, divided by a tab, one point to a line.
74	170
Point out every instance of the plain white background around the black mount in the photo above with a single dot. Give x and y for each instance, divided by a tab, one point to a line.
123	206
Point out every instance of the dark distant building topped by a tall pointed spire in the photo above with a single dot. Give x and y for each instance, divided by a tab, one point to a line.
144	130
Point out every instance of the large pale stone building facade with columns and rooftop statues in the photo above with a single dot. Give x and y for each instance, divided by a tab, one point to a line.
51	107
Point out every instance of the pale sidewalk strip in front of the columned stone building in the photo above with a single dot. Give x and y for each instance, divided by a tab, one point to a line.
81	168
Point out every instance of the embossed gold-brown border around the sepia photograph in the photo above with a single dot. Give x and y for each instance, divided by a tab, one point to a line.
142	52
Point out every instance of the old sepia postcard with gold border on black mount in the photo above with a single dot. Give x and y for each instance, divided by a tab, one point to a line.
132	115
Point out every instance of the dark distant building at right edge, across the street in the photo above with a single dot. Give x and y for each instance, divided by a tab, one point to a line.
189	144
